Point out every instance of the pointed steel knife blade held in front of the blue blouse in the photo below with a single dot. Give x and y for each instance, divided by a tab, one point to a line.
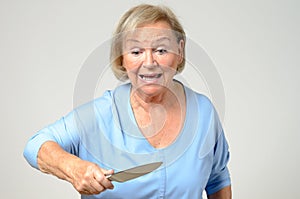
135	172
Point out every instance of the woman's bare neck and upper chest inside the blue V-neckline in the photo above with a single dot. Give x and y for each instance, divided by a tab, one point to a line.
160	118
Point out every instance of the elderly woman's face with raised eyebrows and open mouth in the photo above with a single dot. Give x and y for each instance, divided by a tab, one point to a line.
151	55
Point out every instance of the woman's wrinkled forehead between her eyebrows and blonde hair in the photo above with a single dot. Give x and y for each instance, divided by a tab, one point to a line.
149	37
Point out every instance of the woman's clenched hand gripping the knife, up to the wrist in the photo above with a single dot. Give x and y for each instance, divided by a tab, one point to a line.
87	178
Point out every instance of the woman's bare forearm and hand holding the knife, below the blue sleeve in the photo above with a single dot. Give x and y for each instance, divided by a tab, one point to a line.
86	177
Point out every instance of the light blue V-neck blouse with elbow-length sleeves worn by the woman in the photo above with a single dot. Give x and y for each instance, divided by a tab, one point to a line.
105	132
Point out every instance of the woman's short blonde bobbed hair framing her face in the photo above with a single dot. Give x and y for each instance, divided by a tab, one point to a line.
135	17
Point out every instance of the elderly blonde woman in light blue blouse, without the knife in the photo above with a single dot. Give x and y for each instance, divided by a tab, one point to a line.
152	118
